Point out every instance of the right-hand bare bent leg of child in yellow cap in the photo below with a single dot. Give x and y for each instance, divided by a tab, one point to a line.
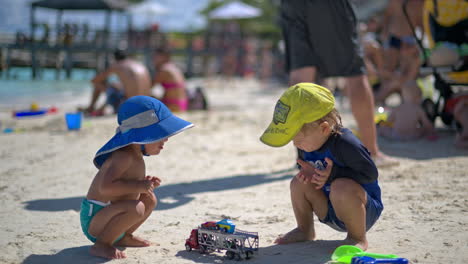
349	201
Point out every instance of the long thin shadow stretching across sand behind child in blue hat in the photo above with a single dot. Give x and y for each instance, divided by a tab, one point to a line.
179	194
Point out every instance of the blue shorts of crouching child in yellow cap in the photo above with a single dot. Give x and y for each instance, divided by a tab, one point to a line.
373	211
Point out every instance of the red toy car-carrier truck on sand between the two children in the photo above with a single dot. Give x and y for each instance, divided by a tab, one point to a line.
238	244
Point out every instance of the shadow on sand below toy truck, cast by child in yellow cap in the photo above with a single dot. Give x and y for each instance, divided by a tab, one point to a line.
313	252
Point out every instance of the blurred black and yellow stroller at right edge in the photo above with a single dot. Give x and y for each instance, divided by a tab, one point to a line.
446	27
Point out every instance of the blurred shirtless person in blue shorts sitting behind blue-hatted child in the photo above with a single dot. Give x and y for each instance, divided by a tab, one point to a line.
134	80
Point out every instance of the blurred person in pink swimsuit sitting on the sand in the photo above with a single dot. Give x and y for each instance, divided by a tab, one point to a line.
172	80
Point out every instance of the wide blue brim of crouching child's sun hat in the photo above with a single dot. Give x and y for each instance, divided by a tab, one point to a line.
150	134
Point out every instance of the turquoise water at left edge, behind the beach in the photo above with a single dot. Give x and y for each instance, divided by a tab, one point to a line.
21	91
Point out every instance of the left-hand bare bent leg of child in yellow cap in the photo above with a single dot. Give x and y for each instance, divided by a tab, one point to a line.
306	200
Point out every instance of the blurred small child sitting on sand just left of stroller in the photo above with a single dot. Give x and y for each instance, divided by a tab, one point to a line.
408	121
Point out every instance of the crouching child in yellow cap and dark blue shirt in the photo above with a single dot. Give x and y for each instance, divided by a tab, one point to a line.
338	179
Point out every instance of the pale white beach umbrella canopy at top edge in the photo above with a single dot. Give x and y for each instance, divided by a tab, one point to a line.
235	10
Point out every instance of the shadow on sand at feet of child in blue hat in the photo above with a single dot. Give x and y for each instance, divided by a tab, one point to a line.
74	255
